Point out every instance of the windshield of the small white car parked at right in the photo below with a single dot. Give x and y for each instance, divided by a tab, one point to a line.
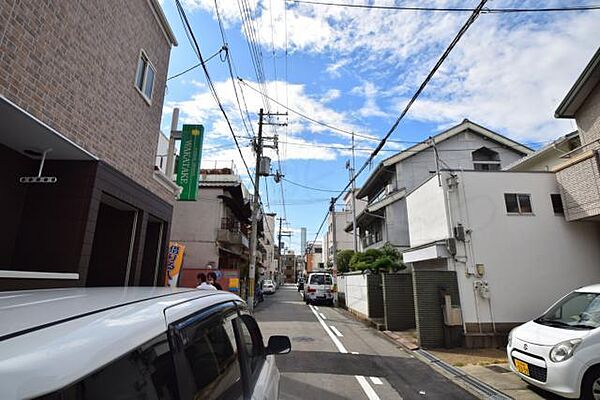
576	311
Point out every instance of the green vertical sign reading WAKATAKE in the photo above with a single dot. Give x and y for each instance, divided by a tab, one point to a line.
188	166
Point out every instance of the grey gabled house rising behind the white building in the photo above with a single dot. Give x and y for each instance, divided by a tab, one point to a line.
466	146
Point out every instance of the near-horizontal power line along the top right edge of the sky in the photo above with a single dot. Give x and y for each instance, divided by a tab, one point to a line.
449	9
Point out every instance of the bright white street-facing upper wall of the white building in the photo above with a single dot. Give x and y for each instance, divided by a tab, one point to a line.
427	214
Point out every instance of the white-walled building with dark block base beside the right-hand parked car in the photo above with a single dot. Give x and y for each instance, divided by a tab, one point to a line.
499	244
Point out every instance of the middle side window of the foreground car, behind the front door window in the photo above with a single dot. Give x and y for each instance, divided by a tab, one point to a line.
211	368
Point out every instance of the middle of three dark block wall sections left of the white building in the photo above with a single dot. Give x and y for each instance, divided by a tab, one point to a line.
399	304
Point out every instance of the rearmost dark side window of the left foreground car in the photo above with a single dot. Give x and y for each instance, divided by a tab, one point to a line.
144	373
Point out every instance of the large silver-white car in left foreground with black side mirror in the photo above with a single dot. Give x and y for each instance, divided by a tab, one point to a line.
117	343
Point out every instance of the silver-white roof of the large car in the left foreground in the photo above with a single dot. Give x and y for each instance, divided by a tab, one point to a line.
80	330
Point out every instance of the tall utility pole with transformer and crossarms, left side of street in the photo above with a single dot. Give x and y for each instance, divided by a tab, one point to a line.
262	169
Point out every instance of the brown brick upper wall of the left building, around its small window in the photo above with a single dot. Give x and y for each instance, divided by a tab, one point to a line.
73	65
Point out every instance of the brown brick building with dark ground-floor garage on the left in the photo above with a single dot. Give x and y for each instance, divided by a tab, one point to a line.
83	84
